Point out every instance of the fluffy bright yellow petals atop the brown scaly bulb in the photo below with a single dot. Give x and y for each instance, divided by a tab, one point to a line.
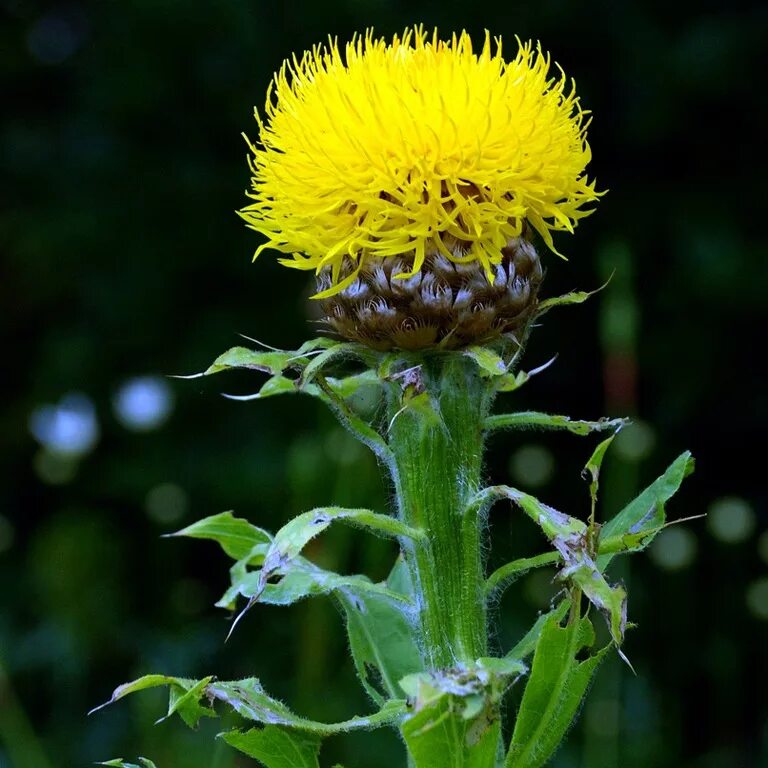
414	147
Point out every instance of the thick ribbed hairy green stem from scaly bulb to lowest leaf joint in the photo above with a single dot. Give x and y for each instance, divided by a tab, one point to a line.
436	438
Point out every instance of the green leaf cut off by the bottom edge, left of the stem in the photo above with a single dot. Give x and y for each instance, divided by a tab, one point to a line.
276	747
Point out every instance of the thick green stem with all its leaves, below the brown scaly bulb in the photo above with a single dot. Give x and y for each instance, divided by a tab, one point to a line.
420	639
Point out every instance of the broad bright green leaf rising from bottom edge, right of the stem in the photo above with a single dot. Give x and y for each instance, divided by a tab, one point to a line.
553	693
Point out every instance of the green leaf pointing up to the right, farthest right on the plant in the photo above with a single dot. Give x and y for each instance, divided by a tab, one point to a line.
639	522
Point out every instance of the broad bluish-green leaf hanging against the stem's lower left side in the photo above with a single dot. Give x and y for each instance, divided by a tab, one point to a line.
383	643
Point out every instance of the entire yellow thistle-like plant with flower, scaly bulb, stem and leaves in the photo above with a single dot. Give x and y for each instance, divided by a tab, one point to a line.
408	175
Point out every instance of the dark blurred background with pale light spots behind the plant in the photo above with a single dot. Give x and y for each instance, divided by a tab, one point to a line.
122	261
